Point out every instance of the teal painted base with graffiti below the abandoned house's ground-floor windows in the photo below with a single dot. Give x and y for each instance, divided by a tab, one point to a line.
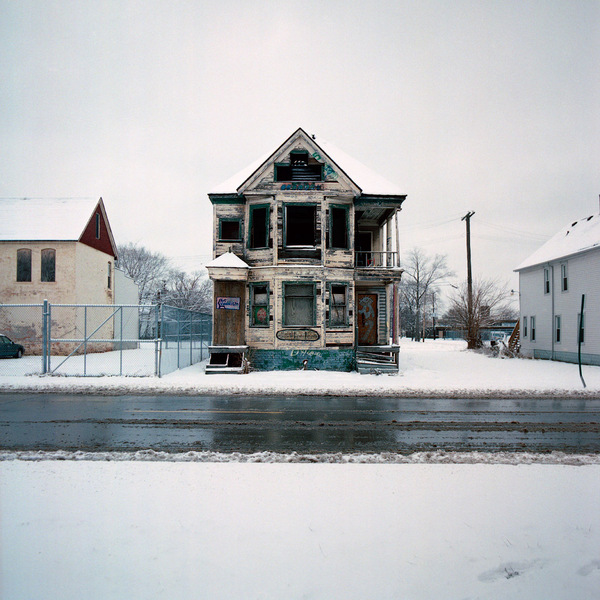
322	359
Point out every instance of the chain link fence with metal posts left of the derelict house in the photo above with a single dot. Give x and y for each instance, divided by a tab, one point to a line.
99	339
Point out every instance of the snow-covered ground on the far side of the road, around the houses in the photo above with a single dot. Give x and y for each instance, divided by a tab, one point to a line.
433	368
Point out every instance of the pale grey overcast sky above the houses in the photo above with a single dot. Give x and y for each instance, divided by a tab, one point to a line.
492	107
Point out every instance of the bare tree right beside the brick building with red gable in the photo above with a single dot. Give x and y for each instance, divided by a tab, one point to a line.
150	270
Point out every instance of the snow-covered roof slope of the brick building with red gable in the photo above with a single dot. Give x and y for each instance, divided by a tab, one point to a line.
44	218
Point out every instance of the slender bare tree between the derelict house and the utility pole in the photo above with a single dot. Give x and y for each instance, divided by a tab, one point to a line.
421	274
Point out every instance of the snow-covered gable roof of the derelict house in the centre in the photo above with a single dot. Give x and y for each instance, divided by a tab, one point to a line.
369	182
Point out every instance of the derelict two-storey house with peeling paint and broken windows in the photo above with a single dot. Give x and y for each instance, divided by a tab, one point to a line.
306	264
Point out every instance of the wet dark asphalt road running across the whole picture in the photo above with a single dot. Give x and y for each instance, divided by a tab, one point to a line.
302	424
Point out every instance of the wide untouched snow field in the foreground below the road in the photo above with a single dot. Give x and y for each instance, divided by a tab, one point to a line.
162	530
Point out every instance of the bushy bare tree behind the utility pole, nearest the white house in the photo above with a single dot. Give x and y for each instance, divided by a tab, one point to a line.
490	303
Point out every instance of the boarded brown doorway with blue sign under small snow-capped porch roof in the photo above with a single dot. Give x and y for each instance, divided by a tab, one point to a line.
228	318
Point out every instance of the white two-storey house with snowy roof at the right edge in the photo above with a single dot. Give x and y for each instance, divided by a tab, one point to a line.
552	283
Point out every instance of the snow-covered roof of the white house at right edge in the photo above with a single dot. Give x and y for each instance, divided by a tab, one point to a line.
578	237
